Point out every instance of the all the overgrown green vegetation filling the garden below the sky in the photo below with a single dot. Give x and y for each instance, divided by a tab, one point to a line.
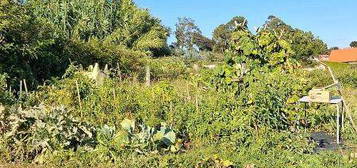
241	112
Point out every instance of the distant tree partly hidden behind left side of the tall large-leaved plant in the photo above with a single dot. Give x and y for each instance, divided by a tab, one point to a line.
222	34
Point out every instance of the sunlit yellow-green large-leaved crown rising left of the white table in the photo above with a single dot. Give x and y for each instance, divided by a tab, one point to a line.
263	48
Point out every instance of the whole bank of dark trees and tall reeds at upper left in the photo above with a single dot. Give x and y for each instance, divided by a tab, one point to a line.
39	39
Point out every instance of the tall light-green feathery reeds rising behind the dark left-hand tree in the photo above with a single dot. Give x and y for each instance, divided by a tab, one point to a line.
113	22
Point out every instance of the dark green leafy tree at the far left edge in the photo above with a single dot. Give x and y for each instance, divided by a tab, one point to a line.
28	48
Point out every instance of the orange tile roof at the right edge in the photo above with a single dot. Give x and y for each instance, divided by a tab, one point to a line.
344	55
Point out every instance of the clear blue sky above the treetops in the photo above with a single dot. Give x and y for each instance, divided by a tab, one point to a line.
334	21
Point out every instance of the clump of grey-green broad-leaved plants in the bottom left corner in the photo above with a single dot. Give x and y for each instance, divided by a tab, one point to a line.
30	133
